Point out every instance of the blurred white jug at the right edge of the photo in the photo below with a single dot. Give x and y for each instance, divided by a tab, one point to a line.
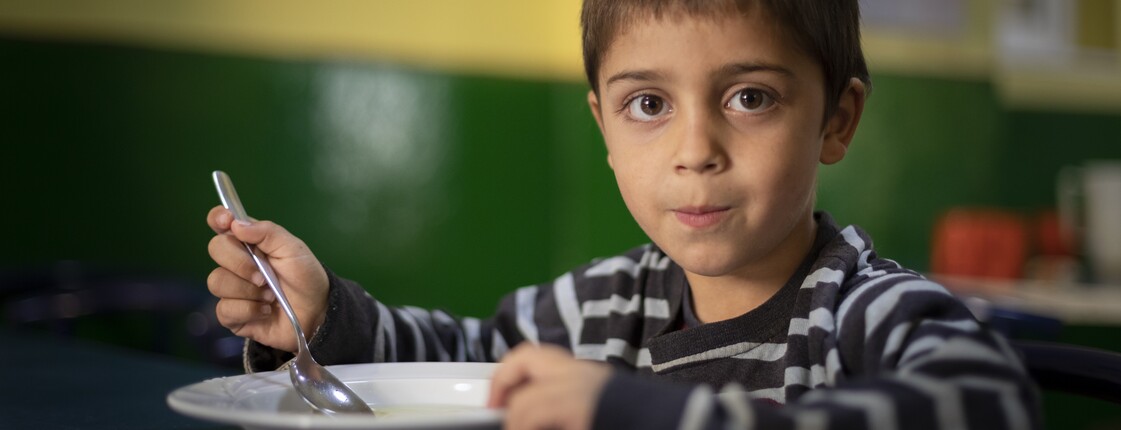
1090	207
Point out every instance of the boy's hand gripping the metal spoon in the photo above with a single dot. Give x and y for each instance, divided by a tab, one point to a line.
247	305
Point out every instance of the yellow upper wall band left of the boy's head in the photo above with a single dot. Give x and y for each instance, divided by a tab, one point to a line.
531	39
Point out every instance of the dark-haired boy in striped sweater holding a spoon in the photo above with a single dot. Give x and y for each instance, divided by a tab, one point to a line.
716	116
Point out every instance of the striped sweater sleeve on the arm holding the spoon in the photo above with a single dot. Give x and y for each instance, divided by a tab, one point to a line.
360	330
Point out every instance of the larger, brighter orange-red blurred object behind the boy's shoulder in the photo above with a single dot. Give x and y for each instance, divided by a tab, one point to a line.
981	244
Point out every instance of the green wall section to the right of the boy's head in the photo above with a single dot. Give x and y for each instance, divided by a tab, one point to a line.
929	145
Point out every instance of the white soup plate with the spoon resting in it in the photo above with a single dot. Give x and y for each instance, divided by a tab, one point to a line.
415	396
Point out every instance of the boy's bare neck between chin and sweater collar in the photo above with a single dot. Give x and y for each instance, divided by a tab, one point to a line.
720	298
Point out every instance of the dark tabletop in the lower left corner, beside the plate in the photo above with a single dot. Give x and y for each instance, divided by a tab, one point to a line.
58	384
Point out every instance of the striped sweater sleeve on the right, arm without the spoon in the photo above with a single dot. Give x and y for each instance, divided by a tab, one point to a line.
914	358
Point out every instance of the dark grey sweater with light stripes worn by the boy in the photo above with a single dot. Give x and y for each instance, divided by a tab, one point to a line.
853	341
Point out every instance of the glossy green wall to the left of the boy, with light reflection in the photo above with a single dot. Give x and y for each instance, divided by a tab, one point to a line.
436	190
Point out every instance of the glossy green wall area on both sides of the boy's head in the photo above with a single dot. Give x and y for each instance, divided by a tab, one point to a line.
434	189
